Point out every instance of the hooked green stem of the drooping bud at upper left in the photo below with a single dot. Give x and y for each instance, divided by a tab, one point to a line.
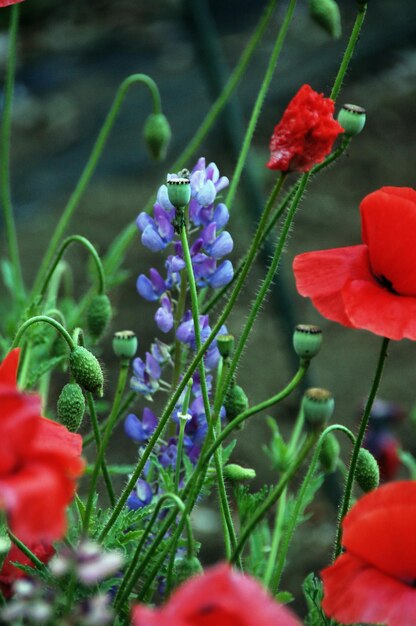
91	165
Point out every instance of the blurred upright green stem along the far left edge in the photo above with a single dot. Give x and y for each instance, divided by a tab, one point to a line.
5	192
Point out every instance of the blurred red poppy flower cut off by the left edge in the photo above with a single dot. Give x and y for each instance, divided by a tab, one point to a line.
39	462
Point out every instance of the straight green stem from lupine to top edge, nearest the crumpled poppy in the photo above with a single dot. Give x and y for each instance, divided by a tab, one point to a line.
259	103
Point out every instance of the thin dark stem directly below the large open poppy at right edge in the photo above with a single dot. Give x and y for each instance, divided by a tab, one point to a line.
358	442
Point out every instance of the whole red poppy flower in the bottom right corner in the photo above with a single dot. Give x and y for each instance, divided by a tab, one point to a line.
374	580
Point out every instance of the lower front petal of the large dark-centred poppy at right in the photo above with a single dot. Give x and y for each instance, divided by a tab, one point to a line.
370	306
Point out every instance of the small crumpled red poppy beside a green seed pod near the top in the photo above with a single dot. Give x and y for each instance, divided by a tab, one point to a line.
305	134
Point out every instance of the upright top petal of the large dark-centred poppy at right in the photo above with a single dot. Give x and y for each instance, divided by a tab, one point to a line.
388	226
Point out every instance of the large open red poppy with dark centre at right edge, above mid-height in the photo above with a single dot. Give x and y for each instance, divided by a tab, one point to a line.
373	285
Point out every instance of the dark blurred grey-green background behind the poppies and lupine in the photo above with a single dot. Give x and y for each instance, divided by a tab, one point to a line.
72	57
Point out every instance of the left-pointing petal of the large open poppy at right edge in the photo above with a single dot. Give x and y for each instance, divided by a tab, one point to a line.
321	276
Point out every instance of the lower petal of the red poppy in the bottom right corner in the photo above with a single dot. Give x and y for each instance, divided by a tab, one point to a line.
355	592
